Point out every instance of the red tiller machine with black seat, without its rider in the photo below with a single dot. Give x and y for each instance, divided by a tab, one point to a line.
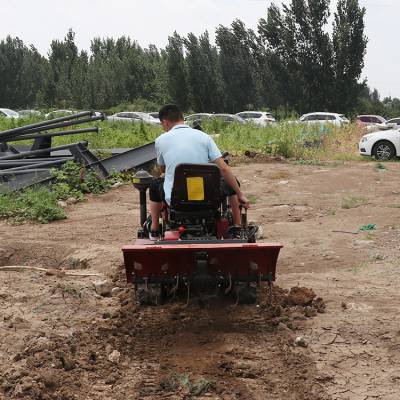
200	252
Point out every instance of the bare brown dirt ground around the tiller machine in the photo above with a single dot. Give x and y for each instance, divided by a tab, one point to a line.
61	340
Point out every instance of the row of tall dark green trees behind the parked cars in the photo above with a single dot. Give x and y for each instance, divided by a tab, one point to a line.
293	62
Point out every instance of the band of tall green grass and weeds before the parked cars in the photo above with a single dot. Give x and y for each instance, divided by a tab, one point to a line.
291	140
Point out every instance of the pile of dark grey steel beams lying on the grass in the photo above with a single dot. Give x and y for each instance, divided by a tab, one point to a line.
20	169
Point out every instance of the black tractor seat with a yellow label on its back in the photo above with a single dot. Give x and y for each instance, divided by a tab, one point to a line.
196	193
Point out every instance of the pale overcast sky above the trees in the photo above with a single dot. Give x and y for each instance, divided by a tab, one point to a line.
38	22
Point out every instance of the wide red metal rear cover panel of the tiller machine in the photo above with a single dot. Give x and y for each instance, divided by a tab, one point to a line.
146	259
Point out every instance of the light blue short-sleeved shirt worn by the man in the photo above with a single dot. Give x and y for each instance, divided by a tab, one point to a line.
180	145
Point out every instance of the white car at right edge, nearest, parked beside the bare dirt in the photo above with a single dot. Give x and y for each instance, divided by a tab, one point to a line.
383	145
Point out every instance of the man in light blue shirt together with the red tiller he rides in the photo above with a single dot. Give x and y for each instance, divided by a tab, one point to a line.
203	242
